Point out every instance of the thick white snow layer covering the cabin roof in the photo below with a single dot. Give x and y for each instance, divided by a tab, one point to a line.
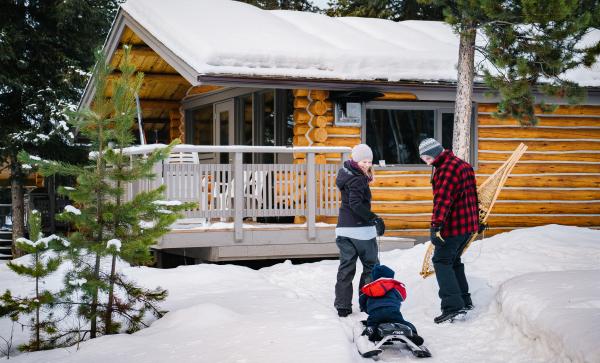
223	37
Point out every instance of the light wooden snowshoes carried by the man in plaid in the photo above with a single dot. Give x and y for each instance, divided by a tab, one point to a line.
487	193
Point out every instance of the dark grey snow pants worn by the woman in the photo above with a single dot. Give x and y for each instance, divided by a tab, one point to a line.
350	250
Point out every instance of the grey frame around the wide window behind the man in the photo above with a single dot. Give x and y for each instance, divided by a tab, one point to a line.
439	108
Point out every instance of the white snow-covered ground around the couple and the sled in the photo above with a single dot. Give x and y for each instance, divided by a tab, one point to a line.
536	291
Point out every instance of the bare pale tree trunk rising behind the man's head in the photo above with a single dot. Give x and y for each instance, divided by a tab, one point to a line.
461	137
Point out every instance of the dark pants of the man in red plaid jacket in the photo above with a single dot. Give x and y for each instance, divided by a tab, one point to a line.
450	273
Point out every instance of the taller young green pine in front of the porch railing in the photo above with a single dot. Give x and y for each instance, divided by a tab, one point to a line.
106	224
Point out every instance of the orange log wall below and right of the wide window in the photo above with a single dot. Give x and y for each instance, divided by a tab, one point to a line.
556	181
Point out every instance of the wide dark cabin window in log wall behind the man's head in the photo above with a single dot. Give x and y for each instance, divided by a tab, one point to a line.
394	130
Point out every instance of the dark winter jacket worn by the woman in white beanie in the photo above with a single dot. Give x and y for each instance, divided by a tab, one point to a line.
355	210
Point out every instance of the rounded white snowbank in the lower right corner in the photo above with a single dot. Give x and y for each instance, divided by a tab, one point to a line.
560	309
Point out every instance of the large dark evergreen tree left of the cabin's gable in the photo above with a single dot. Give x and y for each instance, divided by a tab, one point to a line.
46	50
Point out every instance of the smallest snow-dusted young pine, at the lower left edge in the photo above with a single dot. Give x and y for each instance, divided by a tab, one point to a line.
42	263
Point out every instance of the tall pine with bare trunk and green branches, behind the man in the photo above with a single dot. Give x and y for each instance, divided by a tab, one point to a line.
530	45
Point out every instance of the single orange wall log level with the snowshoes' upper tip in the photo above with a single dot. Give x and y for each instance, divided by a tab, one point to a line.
510	145
